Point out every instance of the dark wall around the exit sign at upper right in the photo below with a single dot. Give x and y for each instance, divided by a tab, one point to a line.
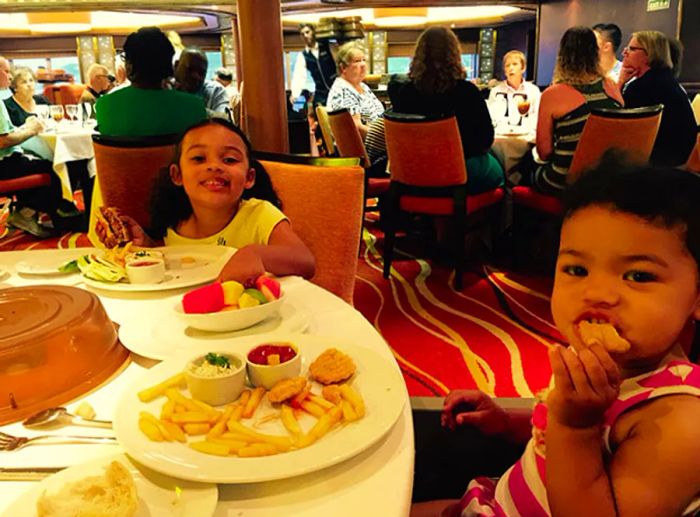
631	15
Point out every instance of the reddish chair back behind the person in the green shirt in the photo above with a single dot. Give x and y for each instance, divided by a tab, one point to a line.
126	169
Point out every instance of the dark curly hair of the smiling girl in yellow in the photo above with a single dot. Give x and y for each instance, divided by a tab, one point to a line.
169	202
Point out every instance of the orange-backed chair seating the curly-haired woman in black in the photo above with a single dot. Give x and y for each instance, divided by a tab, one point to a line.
429	176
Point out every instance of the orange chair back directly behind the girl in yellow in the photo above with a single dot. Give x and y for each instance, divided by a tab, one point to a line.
324	205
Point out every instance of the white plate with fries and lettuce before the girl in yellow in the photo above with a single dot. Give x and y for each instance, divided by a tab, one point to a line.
185	266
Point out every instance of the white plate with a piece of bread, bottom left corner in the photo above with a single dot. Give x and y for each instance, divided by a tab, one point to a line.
115	486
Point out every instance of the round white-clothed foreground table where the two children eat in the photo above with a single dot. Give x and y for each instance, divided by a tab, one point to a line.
377	481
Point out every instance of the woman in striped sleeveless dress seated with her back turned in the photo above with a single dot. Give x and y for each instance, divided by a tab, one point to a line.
579	85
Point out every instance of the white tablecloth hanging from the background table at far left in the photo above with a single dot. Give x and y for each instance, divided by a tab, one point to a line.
70	144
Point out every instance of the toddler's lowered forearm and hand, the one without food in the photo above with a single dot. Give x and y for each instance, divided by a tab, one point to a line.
475	408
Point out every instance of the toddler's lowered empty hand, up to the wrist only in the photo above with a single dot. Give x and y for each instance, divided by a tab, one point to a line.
472	407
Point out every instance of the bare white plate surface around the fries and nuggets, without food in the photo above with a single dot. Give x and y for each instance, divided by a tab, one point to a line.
377	380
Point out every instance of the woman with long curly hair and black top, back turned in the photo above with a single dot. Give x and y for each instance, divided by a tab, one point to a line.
436	84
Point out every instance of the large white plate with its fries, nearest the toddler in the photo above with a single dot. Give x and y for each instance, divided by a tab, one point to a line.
252	439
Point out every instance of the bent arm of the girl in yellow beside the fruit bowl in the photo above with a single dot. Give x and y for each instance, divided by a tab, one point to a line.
284	254
